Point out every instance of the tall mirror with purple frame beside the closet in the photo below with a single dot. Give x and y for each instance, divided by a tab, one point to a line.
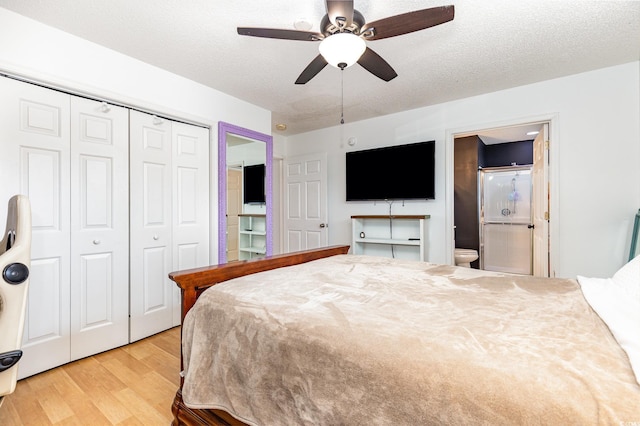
249	225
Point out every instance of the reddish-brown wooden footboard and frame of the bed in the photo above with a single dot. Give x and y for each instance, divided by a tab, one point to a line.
193	282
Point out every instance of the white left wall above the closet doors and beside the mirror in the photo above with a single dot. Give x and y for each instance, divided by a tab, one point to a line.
36	51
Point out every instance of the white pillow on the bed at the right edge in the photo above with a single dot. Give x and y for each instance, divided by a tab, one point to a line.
617	301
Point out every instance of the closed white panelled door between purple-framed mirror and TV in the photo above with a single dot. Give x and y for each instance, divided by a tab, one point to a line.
305	199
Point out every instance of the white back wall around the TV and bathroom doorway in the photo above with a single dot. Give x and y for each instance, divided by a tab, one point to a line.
595	162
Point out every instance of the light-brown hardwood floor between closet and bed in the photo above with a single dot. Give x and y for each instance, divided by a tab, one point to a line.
131	385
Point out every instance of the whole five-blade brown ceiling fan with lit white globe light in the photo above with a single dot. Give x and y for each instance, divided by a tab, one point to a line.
344	31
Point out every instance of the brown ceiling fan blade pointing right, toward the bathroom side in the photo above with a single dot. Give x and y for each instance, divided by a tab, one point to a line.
407	22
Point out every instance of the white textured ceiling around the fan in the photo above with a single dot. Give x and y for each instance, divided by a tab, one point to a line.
490	45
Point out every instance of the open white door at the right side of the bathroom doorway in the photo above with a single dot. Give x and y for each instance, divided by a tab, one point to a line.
541	203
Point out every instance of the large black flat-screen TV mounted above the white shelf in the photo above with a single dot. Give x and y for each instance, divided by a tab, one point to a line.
401	172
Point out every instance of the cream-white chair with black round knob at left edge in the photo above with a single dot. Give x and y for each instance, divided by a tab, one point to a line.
15	260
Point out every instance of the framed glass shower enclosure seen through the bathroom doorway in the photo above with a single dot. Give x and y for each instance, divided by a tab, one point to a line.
506	227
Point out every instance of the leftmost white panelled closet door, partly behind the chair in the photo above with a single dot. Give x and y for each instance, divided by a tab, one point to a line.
34	161
